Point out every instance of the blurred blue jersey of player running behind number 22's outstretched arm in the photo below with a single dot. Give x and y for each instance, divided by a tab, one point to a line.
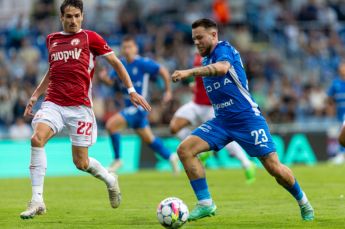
139	71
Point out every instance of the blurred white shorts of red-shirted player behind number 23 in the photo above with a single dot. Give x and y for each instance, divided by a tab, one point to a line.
196	114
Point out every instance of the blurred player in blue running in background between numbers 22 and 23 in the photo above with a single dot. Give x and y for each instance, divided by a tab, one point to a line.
139	69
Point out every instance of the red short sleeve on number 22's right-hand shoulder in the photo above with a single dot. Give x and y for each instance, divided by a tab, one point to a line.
98	46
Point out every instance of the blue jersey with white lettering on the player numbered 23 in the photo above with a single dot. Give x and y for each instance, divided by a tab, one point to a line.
229	94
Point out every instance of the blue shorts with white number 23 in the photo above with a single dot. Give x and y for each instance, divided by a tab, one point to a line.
251	133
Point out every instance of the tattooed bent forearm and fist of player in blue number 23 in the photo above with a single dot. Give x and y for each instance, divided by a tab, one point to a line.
217	69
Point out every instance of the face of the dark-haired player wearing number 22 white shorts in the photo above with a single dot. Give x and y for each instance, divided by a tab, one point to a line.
71	19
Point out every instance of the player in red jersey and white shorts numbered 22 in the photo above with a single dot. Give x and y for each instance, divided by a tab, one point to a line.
68	102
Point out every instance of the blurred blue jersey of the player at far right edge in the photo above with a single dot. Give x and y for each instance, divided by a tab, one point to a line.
337	92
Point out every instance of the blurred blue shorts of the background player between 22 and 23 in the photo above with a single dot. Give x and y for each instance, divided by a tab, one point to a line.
136	118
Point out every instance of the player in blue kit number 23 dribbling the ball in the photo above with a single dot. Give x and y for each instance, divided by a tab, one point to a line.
238	118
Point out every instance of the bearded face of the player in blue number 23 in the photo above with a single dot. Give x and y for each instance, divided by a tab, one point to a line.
203	40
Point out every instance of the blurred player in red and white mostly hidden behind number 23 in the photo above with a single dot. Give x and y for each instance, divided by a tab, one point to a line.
198	111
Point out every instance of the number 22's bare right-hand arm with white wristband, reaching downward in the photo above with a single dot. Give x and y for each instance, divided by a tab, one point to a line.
136	99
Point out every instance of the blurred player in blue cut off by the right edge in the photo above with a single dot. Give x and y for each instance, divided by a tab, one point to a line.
336	97
